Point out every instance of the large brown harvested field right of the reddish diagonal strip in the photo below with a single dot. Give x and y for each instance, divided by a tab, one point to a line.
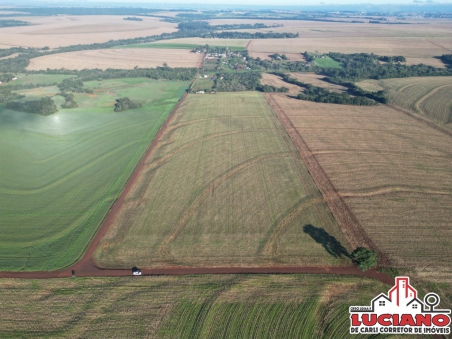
392	170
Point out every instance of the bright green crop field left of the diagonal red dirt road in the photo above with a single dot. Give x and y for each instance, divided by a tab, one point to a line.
60	173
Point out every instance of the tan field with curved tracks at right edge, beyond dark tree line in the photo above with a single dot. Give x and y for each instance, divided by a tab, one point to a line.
431	96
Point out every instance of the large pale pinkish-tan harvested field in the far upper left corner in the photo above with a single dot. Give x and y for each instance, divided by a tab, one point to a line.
65	30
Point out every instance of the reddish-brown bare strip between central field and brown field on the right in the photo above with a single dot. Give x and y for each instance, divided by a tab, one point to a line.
347	221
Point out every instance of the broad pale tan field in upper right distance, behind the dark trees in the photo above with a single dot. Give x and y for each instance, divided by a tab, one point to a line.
418	43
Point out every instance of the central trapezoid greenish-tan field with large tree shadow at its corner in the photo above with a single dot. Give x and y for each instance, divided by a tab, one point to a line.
224	187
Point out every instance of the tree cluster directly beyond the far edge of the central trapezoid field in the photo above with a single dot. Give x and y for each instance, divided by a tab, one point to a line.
234	82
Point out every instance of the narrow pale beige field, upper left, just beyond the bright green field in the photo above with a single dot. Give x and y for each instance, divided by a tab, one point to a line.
117	58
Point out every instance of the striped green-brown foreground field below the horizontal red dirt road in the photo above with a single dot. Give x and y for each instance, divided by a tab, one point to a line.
210	306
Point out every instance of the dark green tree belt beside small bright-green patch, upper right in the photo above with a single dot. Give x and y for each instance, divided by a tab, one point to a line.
360	66
